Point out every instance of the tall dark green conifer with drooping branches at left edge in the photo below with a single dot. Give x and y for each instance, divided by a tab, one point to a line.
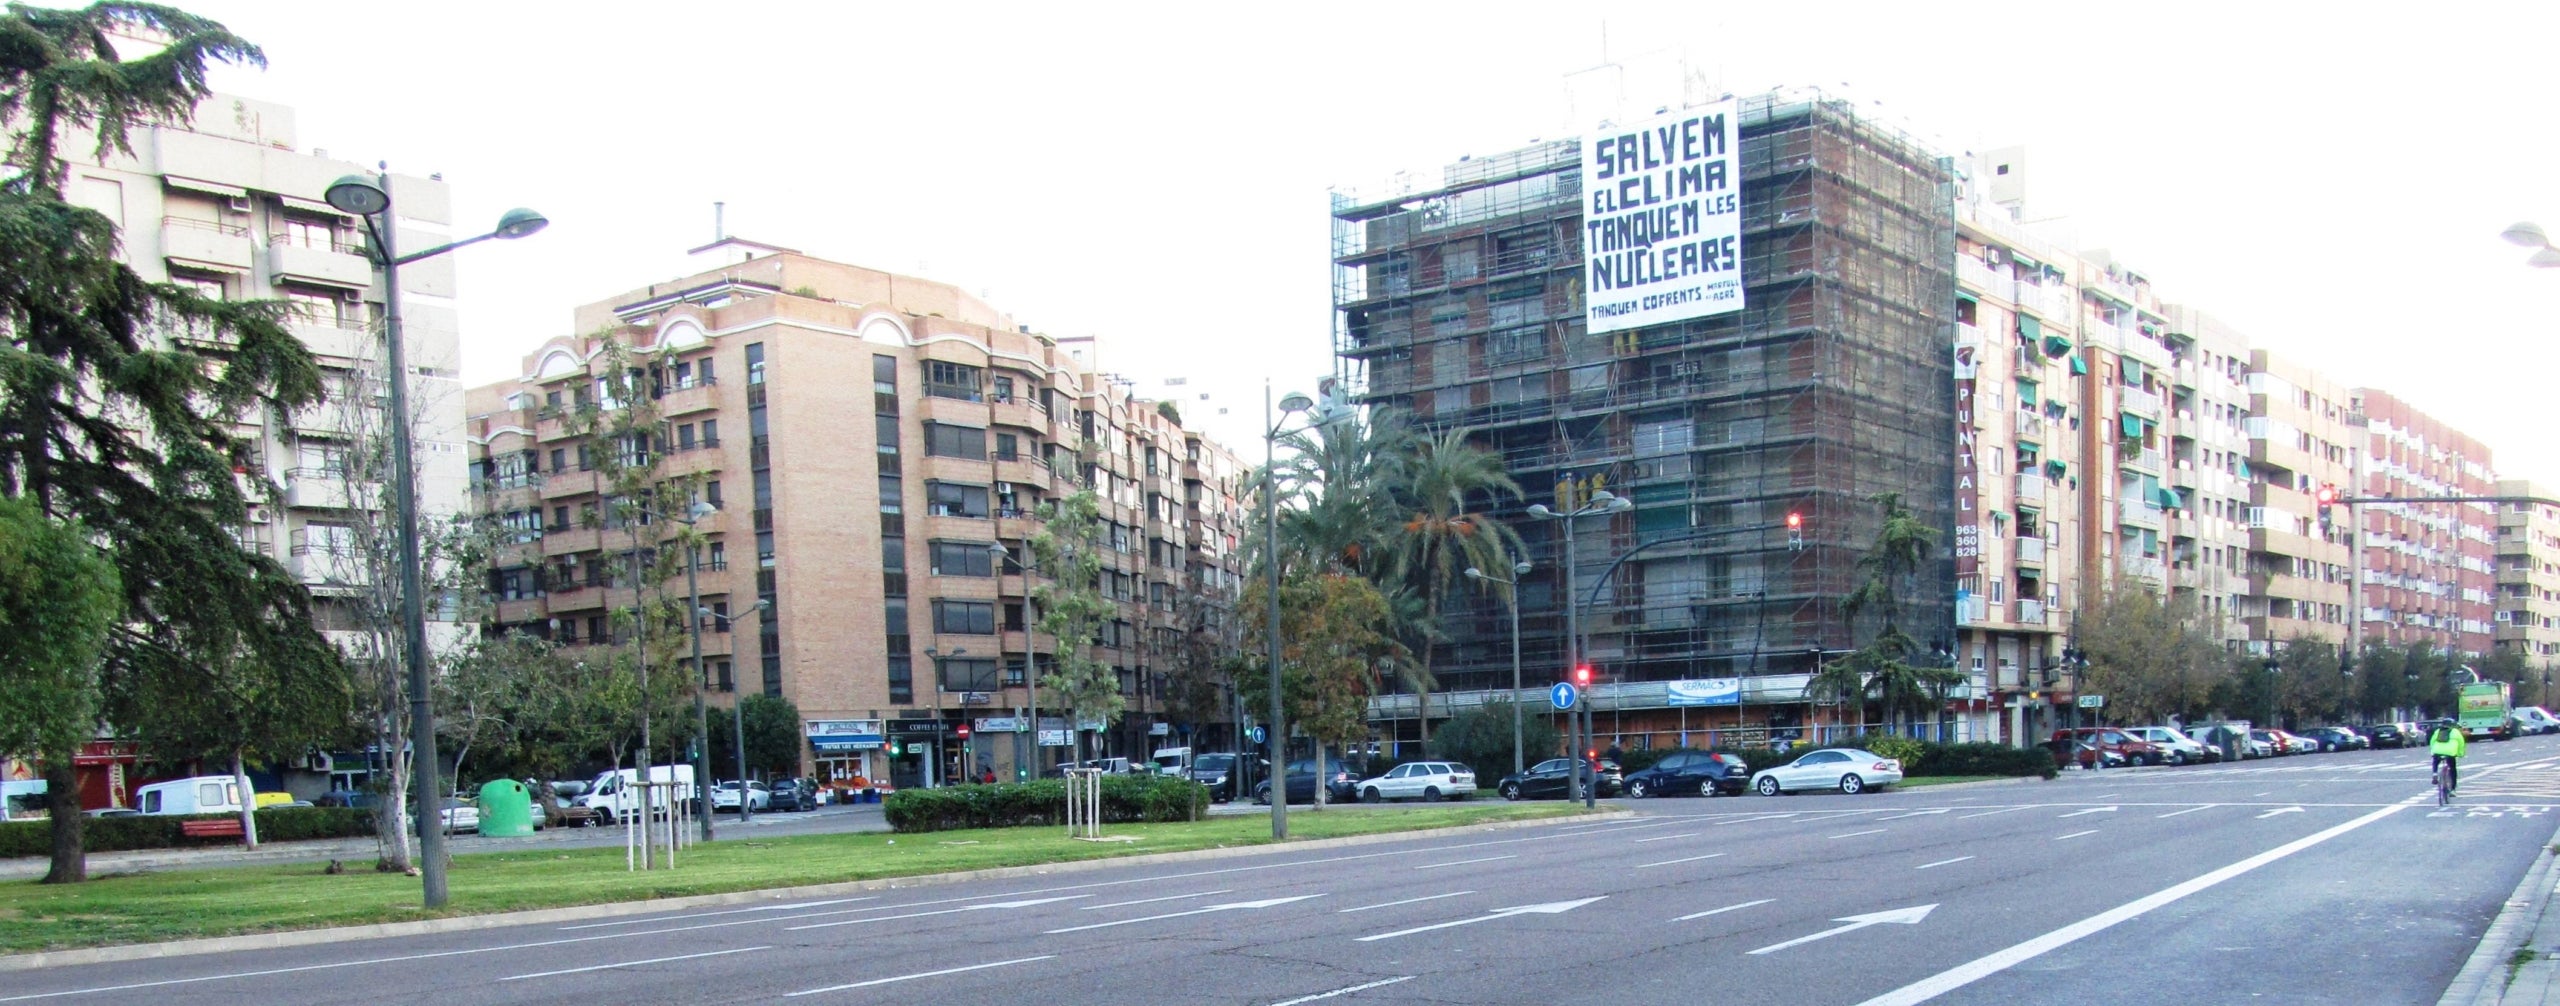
106	424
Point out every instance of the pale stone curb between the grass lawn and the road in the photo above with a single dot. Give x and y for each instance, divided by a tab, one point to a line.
306	938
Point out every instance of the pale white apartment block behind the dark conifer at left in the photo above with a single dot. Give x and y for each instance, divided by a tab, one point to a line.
232	206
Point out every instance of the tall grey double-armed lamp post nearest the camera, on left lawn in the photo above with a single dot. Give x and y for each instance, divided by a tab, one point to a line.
370	198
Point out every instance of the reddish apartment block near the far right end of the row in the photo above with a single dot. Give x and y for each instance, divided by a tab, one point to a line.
2428	570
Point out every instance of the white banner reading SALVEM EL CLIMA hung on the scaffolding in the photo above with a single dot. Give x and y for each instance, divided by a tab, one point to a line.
1663	221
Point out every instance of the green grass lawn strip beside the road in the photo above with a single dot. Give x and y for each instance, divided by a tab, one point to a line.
224	902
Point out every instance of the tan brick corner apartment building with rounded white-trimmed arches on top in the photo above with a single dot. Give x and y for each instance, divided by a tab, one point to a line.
877	449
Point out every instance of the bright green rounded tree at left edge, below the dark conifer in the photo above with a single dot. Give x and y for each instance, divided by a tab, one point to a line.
58	598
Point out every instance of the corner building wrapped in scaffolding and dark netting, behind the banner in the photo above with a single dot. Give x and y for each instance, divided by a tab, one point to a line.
1463	306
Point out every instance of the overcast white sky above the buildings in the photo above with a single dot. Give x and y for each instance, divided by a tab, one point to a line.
2331	180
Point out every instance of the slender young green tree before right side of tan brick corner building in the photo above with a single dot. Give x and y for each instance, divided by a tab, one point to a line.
1074	613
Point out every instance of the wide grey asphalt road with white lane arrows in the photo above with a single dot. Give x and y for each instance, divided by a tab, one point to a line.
2298	882
